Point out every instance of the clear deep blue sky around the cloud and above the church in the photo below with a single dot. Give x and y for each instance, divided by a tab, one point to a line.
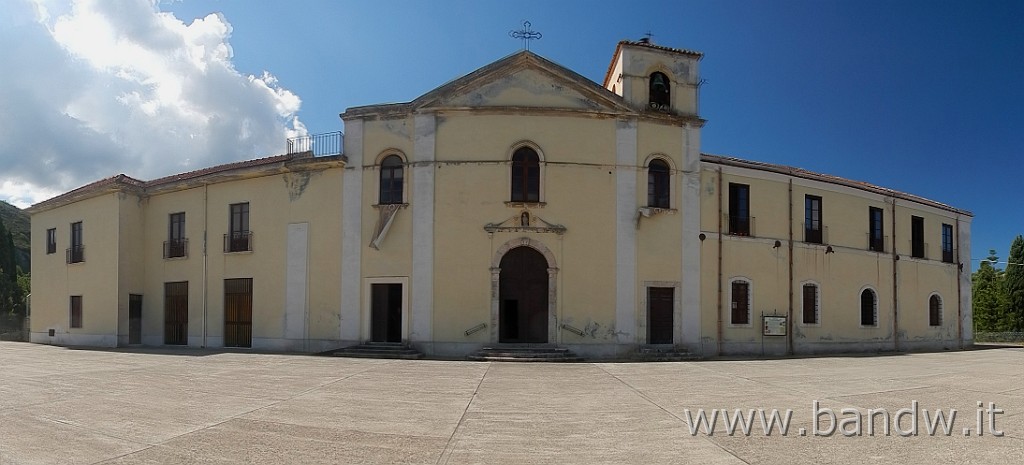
925	98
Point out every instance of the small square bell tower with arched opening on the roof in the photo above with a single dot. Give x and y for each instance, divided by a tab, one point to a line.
654	78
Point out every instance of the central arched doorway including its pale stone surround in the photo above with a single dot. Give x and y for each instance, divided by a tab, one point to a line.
523	293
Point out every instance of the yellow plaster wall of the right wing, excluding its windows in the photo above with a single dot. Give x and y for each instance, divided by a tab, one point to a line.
840	275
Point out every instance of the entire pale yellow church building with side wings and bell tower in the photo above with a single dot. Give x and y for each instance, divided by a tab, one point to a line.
520	204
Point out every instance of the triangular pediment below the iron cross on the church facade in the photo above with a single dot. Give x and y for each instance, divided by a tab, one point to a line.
524	80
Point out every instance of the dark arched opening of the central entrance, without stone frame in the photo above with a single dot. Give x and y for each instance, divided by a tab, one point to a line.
524	297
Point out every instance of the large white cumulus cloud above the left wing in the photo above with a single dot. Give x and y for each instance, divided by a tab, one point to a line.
93	89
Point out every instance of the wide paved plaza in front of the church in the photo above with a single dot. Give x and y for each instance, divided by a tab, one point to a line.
61	406
